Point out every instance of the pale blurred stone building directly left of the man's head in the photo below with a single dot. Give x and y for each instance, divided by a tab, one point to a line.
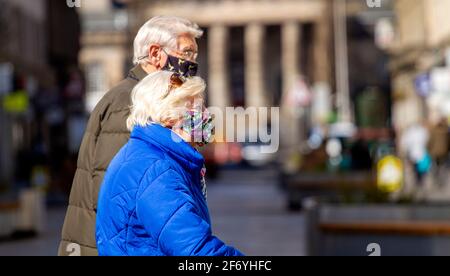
105	54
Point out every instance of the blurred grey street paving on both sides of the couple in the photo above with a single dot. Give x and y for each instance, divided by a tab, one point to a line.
247	211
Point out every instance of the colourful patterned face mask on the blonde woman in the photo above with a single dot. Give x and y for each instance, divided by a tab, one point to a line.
199	125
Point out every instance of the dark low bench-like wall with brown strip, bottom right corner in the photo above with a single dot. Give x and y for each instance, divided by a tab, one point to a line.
394	230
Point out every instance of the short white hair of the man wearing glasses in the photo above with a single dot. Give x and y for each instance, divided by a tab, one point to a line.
164	31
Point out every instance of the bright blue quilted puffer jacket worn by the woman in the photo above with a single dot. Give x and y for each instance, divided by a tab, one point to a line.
151	202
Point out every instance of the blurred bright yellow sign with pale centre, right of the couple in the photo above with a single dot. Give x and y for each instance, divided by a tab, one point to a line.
390	174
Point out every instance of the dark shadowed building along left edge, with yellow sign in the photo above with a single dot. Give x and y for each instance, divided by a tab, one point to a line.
39	74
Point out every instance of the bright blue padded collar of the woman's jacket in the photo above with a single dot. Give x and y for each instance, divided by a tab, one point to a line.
171	144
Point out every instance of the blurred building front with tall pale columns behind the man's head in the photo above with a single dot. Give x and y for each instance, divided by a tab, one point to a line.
277	37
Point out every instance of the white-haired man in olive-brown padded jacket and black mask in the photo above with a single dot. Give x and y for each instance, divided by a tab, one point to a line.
163	43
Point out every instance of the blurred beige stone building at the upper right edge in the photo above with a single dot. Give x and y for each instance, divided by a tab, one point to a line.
422	40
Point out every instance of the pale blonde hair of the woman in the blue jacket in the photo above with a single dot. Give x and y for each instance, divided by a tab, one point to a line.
154	102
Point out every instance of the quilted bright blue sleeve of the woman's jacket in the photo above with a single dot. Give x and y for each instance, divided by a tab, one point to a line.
168	213
